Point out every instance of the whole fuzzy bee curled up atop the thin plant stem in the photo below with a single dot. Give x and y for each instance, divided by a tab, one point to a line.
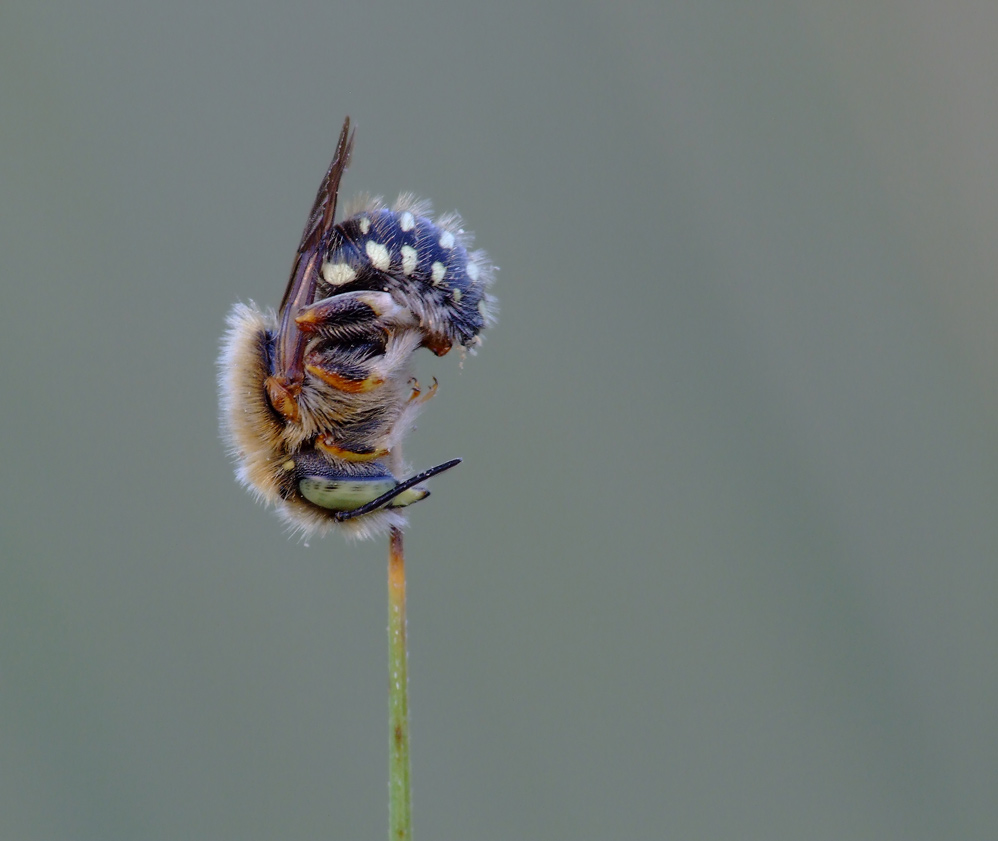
316	398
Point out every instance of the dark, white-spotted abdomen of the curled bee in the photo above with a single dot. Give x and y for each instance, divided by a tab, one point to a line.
426	265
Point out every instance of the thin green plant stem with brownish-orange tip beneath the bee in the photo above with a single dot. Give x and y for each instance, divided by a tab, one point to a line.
399	792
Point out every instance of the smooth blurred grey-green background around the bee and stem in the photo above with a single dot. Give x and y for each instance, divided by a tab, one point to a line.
721	559
